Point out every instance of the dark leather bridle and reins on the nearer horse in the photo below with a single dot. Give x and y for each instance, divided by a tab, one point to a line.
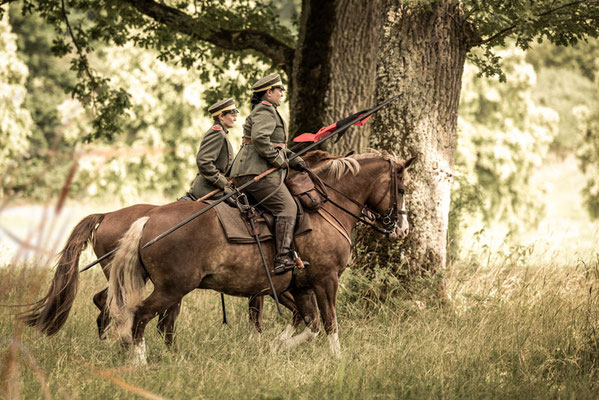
390	218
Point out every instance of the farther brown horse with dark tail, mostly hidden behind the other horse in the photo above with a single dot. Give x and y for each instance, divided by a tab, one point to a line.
104	232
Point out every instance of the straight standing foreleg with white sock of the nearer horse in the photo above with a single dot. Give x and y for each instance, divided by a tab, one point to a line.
326	295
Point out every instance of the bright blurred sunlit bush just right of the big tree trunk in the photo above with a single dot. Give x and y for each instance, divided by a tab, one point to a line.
503	134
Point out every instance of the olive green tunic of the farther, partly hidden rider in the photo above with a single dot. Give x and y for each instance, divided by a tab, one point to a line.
214	159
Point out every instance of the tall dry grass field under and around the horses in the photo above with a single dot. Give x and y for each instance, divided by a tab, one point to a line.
522	321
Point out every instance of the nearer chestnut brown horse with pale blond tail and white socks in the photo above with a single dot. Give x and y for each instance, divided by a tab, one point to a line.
177	265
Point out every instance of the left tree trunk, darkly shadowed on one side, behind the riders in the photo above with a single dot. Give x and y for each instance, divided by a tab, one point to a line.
334	69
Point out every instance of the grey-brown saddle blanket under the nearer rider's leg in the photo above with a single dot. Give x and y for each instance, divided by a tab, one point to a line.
237	231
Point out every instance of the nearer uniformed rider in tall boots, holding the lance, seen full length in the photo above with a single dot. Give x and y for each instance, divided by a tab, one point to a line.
264	138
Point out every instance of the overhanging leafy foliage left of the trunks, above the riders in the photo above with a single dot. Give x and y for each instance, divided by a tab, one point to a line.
183	34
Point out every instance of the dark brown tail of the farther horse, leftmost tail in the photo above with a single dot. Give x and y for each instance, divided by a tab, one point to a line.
51	312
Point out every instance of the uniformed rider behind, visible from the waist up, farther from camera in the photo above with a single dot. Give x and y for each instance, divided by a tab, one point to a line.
215	155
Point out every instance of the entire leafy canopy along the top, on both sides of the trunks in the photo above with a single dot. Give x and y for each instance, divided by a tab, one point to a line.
250	36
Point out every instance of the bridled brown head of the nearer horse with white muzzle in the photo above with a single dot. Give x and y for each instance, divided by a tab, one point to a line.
386	201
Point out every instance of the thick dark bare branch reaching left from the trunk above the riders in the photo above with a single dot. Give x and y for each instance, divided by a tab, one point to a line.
280	53
